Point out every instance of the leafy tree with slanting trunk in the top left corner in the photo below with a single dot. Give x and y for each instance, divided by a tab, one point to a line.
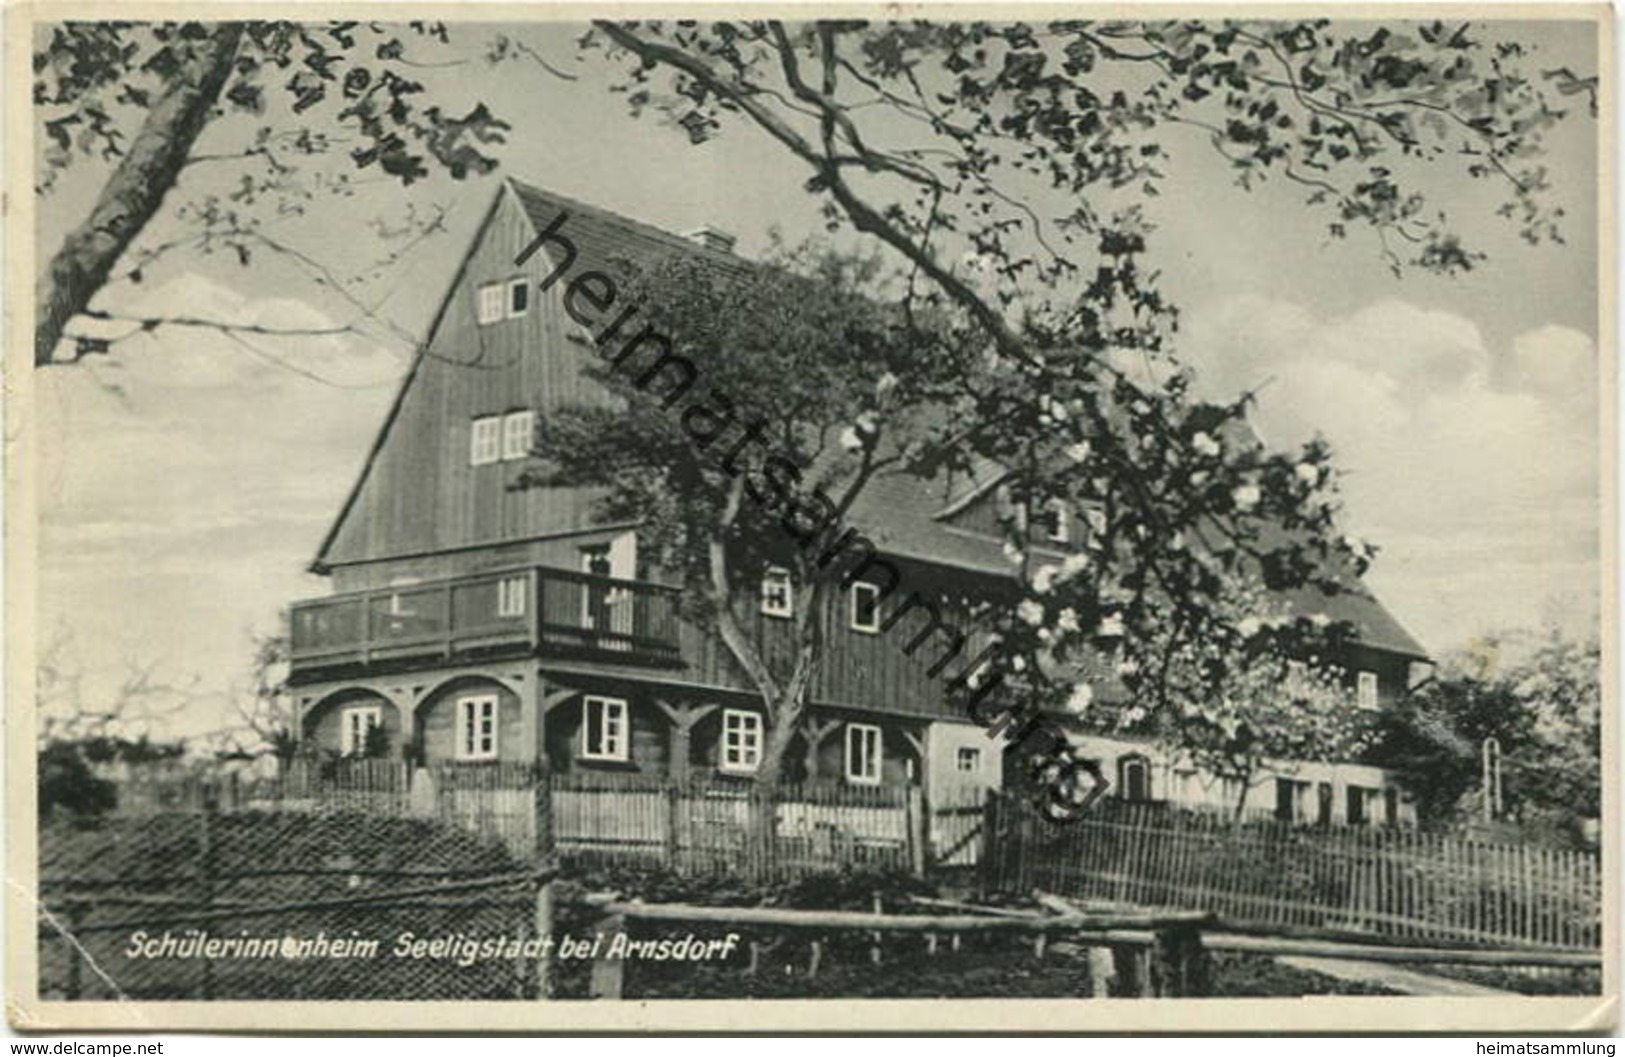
298	111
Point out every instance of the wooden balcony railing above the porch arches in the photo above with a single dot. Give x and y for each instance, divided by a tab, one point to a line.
545	611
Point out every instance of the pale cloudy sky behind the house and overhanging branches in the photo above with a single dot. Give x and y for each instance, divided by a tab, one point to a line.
188	479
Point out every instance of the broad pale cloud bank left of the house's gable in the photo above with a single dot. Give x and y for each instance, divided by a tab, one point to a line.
180	511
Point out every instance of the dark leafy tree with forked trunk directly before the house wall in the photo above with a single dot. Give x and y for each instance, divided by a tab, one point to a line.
800	391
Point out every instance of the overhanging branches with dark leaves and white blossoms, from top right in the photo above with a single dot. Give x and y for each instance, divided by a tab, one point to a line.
1000	163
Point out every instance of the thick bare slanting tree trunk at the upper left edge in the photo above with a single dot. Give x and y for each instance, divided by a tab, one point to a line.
134	191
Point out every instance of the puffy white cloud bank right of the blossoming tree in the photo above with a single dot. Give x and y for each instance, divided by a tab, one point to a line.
1475	469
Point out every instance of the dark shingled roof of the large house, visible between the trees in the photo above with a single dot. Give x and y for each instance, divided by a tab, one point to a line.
903	513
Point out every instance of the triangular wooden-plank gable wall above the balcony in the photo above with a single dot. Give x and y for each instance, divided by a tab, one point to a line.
422	508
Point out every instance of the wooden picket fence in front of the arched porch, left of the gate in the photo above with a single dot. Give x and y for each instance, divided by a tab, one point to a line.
708	825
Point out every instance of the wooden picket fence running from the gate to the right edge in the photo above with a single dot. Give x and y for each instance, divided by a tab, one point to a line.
1385	882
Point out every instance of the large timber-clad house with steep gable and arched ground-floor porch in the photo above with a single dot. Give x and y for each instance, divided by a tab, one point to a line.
477	622
